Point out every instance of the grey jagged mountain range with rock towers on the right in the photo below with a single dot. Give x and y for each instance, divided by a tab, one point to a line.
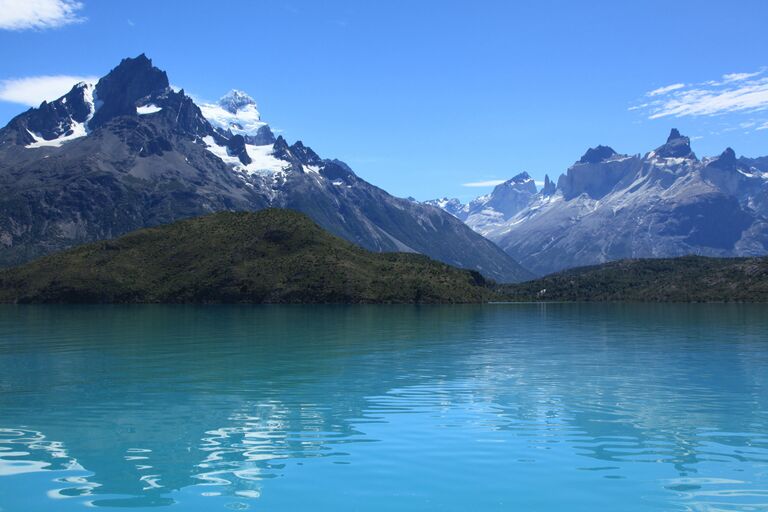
666	203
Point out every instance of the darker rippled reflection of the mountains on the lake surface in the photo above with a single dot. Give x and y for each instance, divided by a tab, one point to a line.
139	402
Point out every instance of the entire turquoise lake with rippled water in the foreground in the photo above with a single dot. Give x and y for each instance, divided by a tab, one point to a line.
381	408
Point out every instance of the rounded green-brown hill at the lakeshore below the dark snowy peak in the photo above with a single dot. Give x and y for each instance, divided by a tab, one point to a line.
270	256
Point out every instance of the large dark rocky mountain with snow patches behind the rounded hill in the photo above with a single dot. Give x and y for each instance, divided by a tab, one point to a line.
131	152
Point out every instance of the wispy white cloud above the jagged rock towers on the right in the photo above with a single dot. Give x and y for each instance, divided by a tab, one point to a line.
732	93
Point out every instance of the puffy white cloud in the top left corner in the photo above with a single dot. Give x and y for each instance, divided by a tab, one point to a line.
38	14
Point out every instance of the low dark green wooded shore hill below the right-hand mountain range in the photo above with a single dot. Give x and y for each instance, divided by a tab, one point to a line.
685	279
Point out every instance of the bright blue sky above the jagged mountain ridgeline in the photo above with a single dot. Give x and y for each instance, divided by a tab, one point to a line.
421	98
